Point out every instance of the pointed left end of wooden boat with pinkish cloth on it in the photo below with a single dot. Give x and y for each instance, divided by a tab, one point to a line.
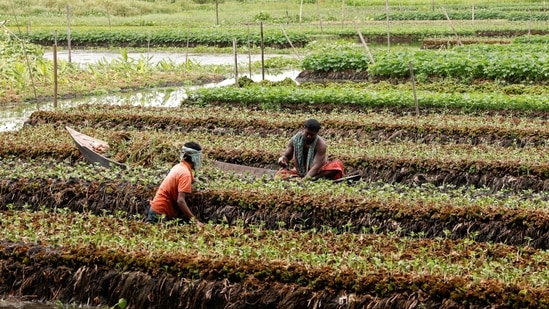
93	149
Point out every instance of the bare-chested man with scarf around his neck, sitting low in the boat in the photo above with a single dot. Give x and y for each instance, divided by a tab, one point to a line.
307	150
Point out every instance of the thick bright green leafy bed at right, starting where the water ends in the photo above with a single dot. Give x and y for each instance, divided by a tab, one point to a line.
472	62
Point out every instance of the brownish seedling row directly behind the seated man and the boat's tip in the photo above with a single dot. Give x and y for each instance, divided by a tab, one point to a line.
264	149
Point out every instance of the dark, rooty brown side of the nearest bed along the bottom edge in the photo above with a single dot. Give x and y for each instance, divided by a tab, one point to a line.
50	274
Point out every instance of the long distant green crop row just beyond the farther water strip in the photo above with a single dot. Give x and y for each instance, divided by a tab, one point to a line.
299	34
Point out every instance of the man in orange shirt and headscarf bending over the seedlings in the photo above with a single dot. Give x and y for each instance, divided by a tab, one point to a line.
169	200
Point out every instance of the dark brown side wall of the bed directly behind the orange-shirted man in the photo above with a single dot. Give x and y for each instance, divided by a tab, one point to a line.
514	227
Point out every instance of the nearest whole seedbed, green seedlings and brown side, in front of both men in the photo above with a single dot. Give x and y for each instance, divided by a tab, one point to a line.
98	259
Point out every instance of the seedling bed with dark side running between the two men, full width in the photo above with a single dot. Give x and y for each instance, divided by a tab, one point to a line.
363	207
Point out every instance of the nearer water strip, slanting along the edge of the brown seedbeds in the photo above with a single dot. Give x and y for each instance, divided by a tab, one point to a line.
13	118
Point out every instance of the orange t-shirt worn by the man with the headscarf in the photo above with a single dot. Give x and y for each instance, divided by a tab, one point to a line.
179	179
